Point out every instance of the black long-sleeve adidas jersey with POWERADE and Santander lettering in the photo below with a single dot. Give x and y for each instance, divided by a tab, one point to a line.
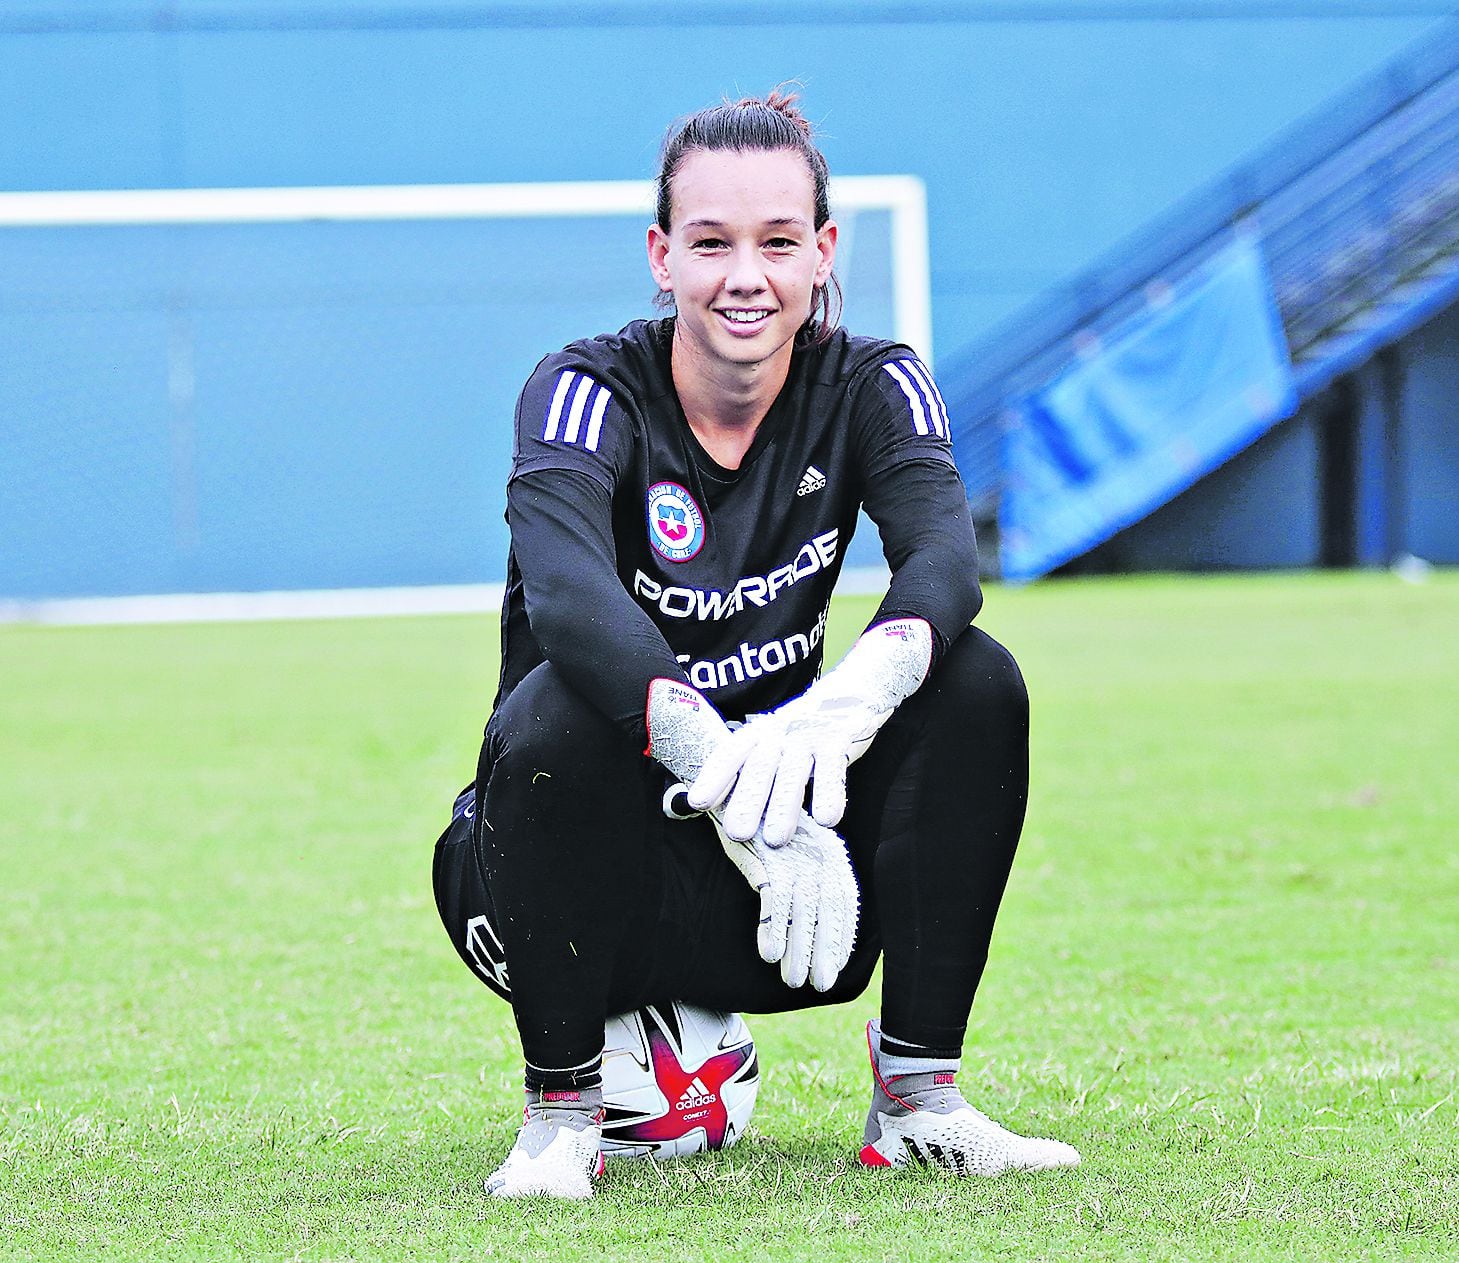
637	556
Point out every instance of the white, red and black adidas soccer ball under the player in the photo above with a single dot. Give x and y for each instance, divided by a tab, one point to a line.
676	1080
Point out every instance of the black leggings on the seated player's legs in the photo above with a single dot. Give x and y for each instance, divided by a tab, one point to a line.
567	890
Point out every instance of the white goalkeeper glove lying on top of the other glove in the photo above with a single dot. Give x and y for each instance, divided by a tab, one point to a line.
755	780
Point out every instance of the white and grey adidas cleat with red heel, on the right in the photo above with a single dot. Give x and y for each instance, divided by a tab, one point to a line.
924	1119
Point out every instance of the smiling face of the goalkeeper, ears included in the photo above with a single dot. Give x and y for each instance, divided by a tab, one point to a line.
743	254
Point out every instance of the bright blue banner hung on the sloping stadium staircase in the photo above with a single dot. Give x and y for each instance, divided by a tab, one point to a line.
1162	402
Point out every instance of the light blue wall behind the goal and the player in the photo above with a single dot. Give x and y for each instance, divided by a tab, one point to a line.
295	408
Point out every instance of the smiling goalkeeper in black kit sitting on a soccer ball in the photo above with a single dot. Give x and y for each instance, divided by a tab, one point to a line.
681	502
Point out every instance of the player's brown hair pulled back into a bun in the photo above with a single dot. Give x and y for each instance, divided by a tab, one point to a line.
752	125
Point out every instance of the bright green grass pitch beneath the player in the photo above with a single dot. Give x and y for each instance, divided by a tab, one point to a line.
1228	968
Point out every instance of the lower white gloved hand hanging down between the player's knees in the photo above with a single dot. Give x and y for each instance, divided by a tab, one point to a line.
809	901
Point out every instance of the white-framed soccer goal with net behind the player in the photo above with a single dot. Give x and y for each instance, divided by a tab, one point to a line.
246	392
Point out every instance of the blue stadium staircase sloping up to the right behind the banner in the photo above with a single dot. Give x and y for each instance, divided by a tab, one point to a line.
1356	215
